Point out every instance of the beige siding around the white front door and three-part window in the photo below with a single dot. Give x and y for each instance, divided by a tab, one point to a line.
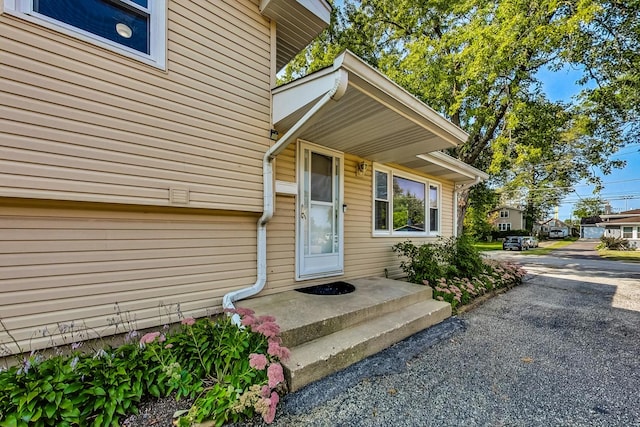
364	255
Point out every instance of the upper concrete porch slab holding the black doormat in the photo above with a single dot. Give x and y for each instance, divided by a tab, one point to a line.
304	317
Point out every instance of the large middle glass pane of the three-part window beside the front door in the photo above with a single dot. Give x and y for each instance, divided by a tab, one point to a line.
408	205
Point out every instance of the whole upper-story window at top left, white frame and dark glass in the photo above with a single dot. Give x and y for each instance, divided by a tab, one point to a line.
135	28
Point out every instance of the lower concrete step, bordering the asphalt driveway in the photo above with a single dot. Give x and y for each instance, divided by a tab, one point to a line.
313	360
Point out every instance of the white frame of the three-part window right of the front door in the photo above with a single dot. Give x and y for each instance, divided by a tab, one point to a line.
402	174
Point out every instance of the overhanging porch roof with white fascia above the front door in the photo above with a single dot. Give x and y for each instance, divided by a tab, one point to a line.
370	116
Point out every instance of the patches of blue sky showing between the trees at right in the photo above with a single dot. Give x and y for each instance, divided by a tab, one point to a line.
622	186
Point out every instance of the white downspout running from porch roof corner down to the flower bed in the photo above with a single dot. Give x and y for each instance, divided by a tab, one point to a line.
335	93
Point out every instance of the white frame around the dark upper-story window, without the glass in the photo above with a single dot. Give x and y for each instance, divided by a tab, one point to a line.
158	31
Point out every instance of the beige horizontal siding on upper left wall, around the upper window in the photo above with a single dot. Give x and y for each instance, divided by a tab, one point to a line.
78	122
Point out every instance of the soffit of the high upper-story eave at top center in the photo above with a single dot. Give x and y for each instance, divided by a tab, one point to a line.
298	22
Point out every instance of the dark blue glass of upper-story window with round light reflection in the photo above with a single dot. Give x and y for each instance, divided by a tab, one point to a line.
109	19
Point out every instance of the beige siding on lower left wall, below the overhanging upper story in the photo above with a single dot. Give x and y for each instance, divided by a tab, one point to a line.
68	263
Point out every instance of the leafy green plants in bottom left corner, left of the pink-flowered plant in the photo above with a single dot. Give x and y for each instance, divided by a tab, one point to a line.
77	389
